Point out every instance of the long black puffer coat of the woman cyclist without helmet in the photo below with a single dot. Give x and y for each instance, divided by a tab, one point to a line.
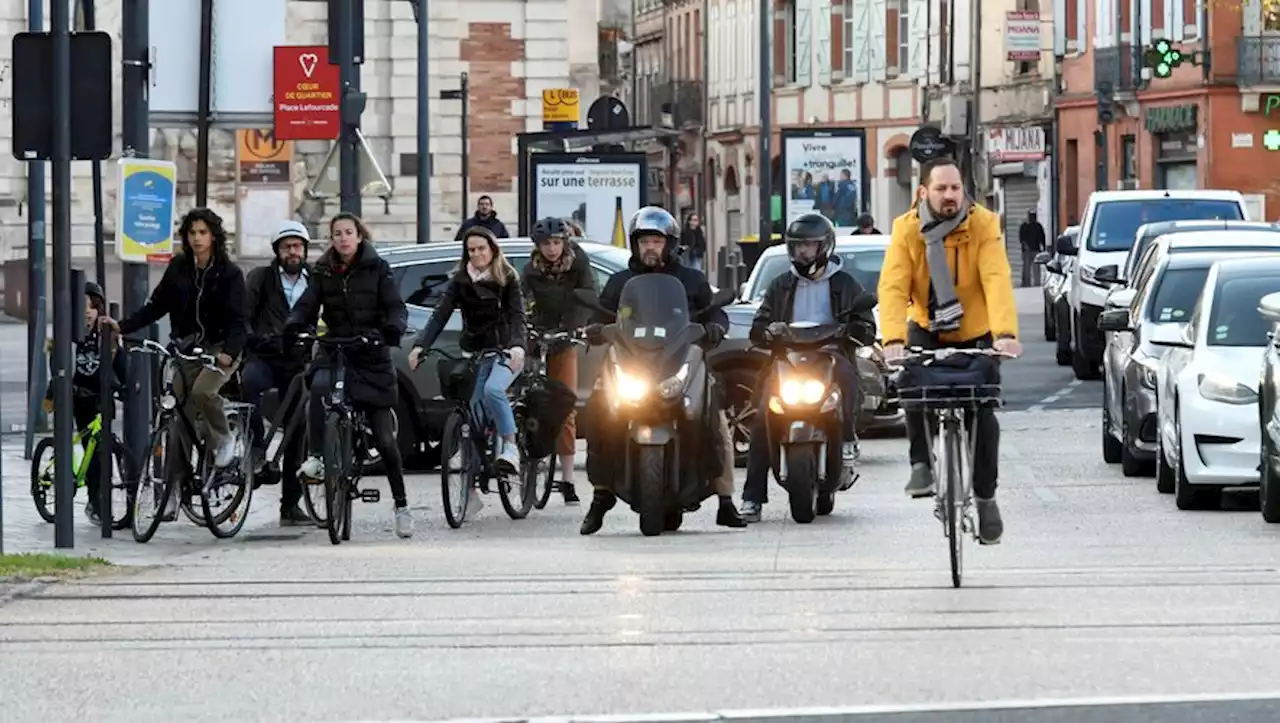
360	299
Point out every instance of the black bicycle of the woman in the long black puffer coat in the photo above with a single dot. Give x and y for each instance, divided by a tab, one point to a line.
342	447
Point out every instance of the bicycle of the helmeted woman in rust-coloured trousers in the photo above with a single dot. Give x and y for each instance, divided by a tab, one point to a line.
534	382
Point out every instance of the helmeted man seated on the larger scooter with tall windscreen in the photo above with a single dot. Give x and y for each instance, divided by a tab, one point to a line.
655	236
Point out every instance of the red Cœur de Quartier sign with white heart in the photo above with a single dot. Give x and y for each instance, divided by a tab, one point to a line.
308	94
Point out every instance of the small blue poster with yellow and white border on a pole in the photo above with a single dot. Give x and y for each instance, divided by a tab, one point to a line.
145	216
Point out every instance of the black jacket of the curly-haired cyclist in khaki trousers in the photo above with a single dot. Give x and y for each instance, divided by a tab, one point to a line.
205	306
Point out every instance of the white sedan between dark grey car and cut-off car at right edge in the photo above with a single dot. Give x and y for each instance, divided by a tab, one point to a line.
1206	392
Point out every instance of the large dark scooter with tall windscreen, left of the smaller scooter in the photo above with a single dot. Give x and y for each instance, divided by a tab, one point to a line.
661	392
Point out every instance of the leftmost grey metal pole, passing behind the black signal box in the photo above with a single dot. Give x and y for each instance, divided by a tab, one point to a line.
36	255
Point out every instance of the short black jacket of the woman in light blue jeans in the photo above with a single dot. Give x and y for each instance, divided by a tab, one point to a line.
493	315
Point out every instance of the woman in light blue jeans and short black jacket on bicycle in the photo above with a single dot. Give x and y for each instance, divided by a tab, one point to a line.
486	287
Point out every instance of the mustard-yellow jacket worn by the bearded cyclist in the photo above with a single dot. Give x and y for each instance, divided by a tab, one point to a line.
980	266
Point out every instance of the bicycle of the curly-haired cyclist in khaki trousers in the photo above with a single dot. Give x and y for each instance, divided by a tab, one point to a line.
232	486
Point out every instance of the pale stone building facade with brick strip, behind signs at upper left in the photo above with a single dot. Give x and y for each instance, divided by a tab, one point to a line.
511	49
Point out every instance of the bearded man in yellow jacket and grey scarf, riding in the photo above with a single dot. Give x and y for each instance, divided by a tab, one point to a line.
947	283
